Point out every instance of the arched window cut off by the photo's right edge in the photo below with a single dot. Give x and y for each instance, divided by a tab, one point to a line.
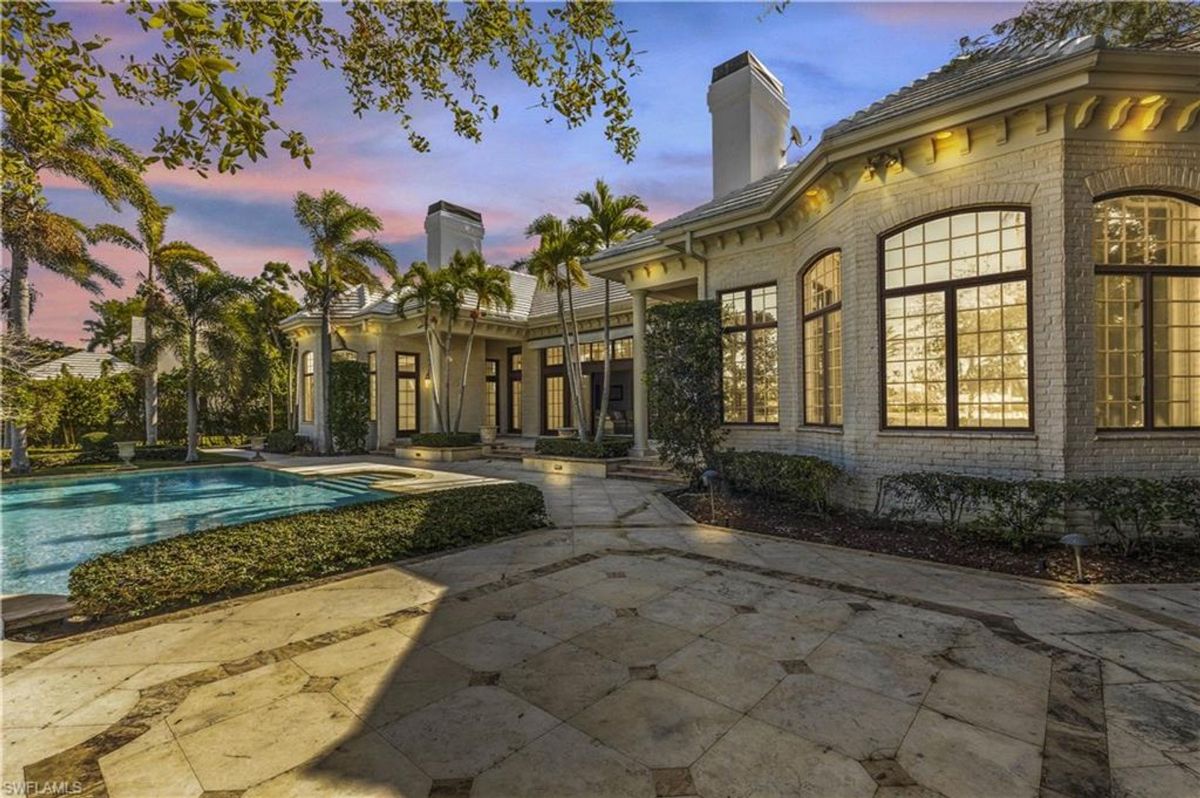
1147	250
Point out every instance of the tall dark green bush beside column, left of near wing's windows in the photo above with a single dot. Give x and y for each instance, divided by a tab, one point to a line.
683	379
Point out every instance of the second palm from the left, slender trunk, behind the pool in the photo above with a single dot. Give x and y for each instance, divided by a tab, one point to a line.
160	256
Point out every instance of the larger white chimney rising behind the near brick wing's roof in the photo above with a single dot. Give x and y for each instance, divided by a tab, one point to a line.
751	118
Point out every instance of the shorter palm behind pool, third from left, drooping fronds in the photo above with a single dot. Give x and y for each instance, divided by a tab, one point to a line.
197	303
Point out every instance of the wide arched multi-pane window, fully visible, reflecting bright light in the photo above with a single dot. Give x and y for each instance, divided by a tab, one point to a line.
956	322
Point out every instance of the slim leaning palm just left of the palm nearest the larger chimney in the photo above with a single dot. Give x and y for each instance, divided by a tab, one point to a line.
557	263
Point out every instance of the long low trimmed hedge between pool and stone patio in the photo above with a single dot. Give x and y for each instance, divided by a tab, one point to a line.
260	555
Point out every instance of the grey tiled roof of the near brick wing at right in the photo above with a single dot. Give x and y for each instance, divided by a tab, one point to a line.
962	77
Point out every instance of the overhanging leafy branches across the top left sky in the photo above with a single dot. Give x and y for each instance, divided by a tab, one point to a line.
577	56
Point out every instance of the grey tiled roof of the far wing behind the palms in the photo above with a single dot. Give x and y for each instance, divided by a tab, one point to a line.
529	302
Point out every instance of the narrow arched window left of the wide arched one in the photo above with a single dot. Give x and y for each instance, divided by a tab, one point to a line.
821	286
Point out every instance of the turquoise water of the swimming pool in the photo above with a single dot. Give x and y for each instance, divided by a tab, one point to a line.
52	526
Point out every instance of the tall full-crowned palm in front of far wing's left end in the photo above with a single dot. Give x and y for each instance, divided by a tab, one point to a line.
344	256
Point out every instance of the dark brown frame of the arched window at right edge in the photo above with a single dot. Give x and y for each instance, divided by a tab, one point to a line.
1147	273
